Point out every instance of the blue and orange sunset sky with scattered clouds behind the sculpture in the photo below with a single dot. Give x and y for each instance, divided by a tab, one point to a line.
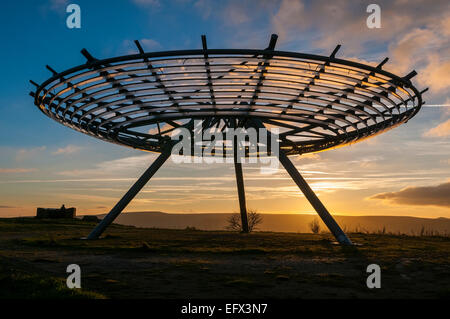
404	172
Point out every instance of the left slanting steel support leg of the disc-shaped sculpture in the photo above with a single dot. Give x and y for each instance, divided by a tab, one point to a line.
126	199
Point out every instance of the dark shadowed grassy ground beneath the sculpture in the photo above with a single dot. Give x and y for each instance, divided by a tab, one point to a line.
159	263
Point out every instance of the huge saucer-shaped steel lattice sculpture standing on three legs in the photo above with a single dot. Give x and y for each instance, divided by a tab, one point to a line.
315	102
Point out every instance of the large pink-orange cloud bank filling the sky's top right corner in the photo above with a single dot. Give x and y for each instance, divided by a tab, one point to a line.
414	34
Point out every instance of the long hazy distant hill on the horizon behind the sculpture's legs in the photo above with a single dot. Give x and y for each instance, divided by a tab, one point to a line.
286	222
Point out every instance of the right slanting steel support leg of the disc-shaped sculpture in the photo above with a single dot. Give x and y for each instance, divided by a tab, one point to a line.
314	200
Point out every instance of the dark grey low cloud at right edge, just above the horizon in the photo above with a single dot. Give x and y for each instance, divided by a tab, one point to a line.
419	195
